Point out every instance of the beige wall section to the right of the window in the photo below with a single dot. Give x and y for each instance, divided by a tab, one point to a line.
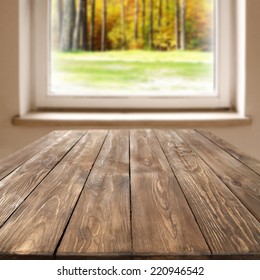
248	138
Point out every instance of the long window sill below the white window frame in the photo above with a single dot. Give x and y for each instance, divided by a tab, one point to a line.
132	120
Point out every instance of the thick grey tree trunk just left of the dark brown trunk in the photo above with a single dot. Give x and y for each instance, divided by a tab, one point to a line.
68	25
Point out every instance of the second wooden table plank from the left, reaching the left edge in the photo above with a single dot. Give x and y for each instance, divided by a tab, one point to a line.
19	184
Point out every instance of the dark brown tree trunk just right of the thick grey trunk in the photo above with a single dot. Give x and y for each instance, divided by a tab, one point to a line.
78	25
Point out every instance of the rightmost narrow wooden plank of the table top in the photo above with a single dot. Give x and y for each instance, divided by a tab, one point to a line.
247	160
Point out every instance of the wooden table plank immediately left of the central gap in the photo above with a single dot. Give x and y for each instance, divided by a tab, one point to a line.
100	224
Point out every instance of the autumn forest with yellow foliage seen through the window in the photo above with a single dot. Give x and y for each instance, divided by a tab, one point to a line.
100	25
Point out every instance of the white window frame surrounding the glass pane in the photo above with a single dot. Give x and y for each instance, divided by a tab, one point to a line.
224	74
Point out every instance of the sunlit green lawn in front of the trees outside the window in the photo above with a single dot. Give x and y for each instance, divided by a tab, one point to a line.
132	72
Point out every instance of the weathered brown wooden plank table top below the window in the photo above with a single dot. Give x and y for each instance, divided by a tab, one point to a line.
173	194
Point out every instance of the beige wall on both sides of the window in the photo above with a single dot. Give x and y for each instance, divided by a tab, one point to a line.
12	138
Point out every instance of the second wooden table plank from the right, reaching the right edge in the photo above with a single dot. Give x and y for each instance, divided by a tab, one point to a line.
241	180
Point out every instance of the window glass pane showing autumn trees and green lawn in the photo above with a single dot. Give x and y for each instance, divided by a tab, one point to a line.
132	47
